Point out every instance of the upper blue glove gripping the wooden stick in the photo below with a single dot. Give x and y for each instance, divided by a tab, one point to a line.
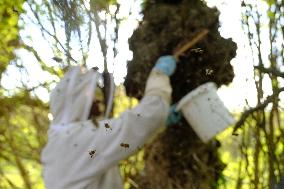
166	64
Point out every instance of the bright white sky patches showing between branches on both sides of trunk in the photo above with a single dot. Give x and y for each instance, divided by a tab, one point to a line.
233	96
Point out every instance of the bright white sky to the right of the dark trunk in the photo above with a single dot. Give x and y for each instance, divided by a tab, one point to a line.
243	86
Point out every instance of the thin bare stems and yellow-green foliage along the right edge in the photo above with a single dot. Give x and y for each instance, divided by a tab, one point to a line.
262	131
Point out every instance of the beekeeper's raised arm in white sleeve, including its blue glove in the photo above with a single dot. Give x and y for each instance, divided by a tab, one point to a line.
134	127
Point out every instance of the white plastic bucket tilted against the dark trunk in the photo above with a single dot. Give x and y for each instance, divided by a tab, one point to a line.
205	112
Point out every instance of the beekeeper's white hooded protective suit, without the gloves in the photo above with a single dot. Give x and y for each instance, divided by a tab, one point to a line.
65	158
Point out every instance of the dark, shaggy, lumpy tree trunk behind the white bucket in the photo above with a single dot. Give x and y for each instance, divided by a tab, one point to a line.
177	158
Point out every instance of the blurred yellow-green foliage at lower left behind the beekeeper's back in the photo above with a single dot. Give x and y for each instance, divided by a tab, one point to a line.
22	138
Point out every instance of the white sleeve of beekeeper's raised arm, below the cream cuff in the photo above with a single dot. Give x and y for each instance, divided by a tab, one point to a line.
133	128
